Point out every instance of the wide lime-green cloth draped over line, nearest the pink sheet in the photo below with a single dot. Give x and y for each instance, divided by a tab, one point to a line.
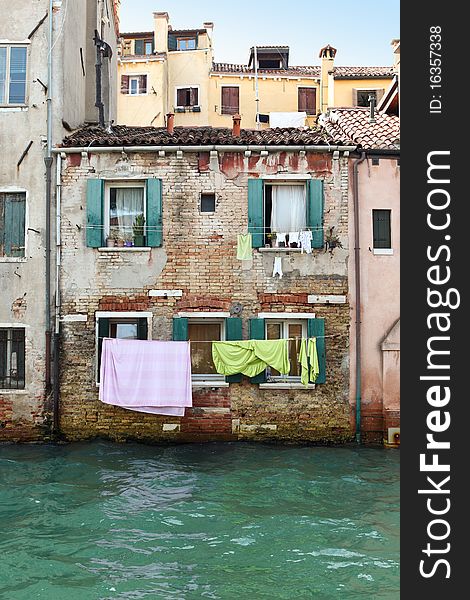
250	357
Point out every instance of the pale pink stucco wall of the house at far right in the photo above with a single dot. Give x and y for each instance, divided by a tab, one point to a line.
379	188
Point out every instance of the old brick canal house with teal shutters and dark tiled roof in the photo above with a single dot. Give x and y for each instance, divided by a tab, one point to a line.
198	189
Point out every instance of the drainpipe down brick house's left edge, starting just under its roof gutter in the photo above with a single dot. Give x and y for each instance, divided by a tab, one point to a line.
57	300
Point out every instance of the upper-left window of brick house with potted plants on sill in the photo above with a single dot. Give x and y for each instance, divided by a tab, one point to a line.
126	204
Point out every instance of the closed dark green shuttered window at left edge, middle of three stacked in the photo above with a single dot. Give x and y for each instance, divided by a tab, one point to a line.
12	224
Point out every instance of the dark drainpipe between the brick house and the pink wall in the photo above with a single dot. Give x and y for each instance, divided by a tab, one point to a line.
357	272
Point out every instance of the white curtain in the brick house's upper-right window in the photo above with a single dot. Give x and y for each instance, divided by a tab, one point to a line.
289	209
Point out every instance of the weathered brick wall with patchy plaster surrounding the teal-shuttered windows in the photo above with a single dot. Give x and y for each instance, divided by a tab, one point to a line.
198	256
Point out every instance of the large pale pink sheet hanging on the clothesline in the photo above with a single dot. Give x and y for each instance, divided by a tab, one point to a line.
146	376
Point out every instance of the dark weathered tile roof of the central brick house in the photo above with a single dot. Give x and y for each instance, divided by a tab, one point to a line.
122	135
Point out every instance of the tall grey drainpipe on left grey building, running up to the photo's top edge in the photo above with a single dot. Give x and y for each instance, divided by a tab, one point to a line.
48	162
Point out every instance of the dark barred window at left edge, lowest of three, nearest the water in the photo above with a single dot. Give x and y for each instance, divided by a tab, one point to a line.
12	358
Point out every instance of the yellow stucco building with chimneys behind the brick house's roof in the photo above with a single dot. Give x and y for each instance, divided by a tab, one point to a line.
173	71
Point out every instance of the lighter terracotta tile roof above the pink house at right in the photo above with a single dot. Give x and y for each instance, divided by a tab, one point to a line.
354	123
